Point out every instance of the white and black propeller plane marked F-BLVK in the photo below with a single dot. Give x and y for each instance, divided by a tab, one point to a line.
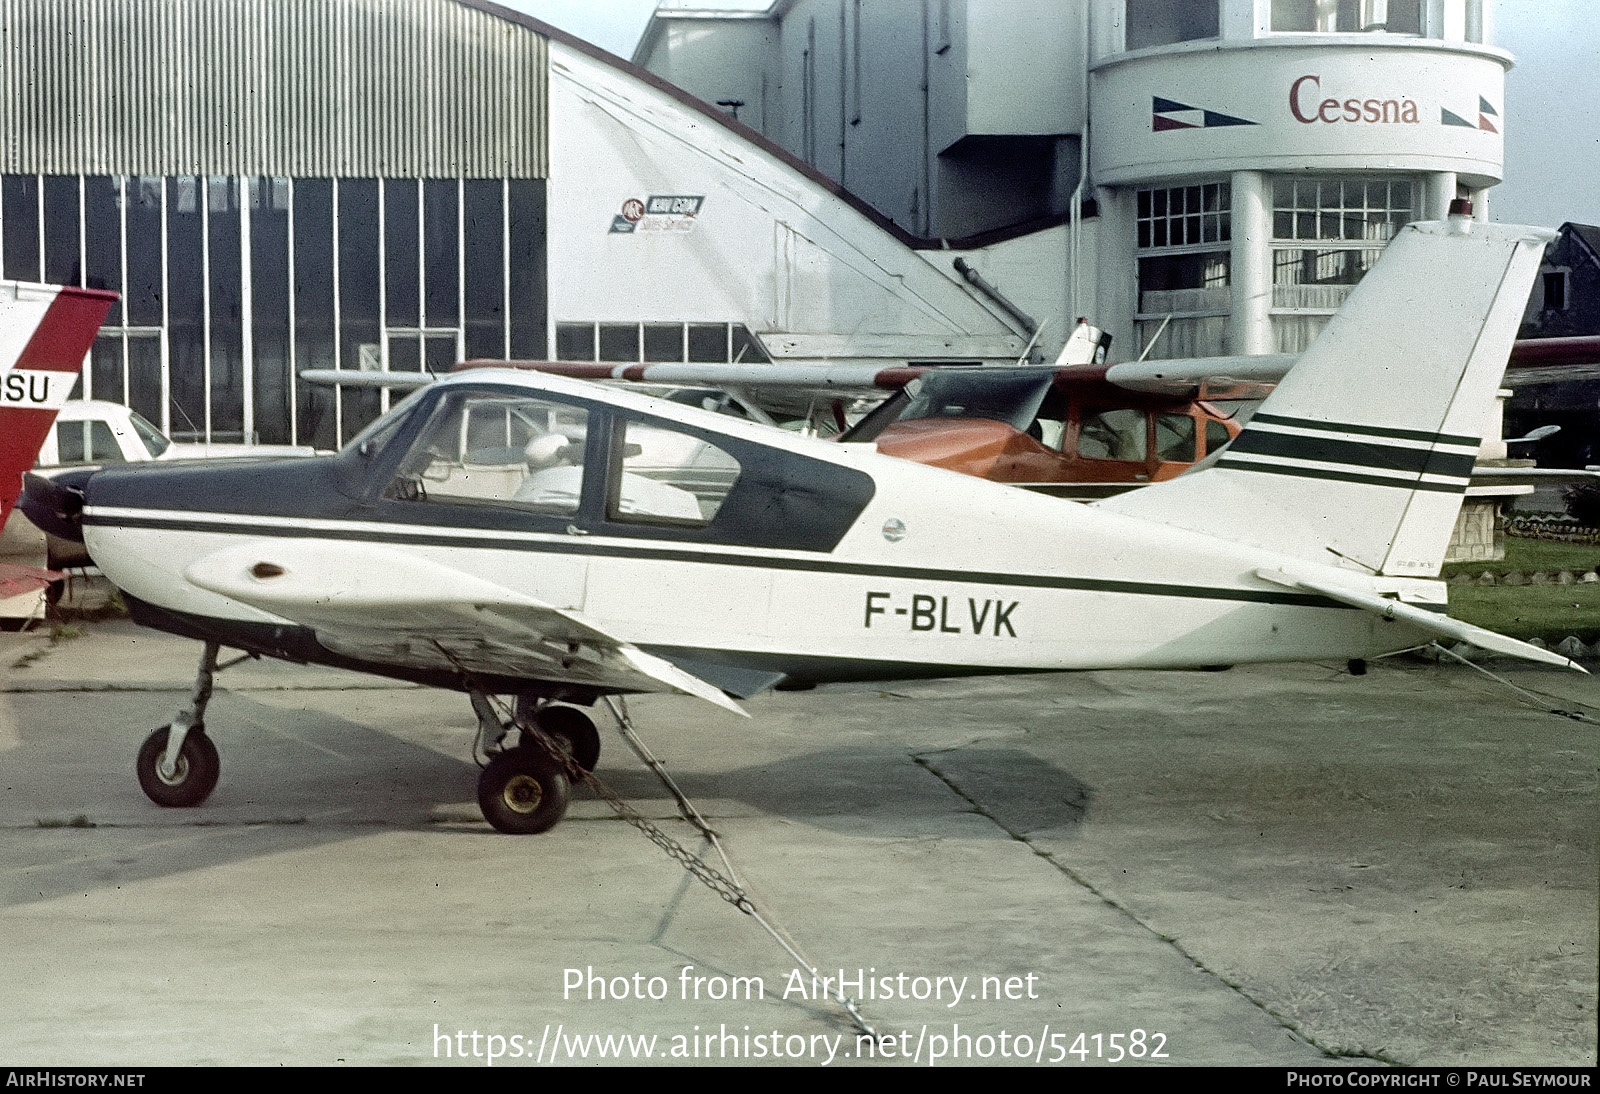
508	533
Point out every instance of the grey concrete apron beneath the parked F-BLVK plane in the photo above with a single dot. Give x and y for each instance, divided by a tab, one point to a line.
1265	866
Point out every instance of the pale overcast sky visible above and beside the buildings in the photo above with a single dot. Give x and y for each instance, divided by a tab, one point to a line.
1553	113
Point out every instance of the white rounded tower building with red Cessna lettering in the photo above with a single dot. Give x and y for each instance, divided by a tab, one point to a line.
1252	158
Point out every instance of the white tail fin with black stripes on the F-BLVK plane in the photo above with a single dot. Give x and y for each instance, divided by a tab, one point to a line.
1362	453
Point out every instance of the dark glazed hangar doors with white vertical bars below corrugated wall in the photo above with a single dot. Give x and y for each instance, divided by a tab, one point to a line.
231	285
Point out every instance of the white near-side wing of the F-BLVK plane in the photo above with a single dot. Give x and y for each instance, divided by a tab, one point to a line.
383	605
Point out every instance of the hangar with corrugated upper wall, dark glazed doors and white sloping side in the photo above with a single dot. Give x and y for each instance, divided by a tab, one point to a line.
289	185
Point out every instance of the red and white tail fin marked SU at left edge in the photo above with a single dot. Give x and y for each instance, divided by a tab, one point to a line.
46	333
